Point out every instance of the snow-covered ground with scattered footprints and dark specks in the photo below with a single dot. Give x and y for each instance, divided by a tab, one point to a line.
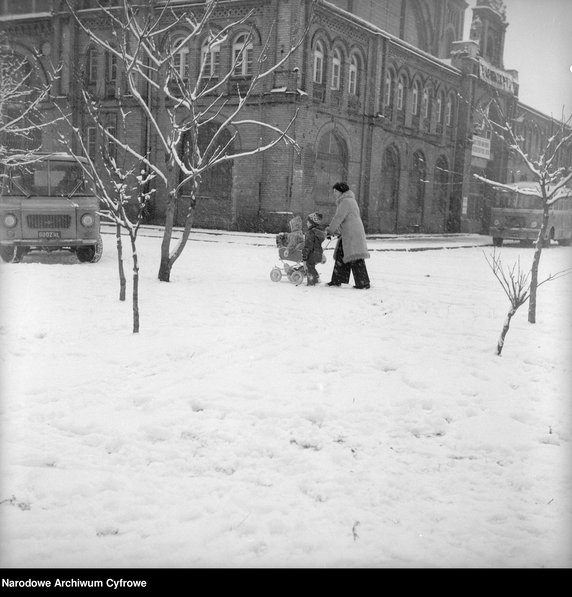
261	424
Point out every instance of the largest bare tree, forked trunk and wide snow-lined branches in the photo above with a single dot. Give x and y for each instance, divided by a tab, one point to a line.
146	44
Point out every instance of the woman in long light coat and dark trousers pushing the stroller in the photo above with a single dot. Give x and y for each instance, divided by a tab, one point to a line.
351	250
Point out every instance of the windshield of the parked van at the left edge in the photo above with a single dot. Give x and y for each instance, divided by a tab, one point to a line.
46	178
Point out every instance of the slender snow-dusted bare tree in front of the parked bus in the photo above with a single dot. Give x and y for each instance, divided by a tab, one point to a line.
551	180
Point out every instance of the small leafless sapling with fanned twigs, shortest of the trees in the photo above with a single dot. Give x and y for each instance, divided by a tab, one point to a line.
516	284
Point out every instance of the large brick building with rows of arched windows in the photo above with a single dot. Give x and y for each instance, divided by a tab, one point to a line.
388	95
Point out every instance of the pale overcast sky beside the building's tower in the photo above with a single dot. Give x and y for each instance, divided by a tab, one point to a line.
538	45
